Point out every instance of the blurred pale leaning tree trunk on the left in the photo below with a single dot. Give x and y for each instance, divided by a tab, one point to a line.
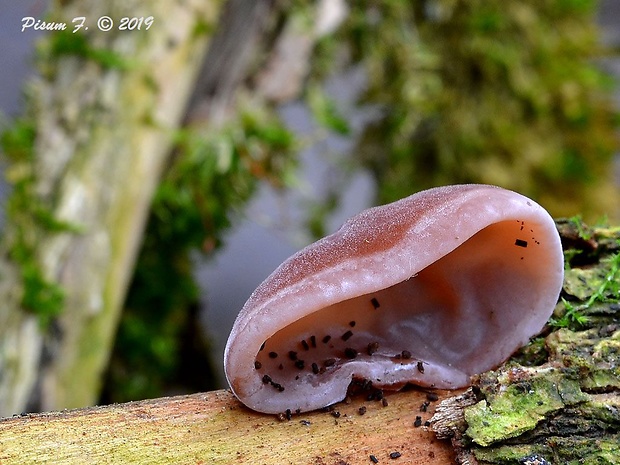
104	133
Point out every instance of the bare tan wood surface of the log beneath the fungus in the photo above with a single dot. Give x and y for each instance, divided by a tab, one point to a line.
213	427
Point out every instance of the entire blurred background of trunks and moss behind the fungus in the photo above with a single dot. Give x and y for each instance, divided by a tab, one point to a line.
156	174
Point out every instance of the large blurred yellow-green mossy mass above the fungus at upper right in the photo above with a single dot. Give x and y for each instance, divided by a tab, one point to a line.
486	91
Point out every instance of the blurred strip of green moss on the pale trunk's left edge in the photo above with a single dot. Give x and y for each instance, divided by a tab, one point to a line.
31	217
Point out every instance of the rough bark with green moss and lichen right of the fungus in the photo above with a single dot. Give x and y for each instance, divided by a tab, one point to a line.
567	409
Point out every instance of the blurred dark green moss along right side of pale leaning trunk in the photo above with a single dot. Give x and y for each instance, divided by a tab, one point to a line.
213	174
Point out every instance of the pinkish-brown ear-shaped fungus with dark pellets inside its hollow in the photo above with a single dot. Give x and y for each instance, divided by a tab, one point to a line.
428	290
